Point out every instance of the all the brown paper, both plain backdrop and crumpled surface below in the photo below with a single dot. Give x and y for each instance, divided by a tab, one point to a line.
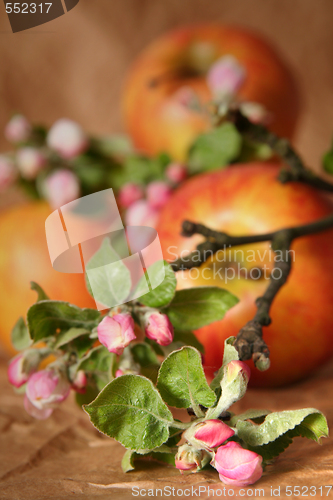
75	67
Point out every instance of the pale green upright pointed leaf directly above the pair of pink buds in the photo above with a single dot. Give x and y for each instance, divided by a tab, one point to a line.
108	279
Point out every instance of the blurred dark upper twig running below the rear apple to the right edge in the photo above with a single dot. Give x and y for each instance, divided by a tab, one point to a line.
297	171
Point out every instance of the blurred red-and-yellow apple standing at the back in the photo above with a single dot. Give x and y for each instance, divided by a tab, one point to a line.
155	118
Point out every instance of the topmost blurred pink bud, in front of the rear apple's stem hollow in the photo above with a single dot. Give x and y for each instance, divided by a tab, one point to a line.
225	76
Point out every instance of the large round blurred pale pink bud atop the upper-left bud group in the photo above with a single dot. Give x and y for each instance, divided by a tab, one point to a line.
67	138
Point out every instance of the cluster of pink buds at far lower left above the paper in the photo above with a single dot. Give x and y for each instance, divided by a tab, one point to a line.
44	389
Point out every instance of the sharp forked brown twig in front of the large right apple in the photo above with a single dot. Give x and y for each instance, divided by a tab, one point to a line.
249	341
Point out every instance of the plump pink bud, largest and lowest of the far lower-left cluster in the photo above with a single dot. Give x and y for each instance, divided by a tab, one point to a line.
46	389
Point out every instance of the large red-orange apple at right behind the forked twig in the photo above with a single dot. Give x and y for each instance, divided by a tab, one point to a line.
247	199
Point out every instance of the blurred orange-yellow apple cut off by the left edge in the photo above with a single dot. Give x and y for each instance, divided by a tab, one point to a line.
24	257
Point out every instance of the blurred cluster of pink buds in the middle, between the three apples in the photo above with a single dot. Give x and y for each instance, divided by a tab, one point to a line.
144	205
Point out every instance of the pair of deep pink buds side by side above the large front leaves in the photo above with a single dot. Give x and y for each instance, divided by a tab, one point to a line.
117	331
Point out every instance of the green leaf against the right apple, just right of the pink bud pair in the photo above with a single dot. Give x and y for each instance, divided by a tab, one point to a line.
193	308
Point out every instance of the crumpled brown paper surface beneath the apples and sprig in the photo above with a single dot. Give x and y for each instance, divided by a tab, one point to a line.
65	457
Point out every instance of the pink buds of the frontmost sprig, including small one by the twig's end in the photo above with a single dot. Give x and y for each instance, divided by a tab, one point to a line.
213	440
